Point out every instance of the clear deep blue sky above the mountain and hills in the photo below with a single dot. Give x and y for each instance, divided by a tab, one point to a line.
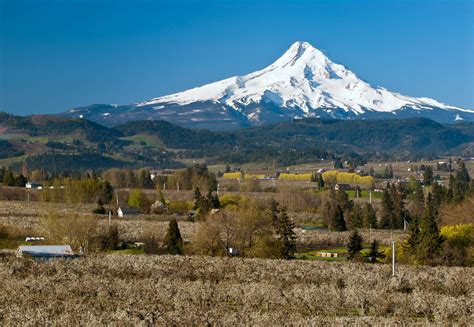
56	55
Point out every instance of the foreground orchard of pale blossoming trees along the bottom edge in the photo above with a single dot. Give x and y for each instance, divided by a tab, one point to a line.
167	290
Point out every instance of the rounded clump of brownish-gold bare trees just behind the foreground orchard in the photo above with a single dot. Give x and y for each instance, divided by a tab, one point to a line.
247	229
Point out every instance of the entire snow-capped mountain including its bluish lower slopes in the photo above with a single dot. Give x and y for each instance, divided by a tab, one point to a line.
303	82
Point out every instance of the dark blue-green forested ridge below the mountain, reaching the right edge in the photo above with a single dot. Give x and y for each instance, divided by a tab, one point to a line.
416	135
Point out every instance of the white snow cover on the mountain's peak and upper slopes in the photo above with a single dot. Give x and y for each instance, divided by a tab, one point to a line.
302	78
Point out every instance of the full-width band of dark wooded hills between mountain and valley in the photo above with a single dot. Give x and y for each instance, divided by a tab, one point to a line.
61	144
